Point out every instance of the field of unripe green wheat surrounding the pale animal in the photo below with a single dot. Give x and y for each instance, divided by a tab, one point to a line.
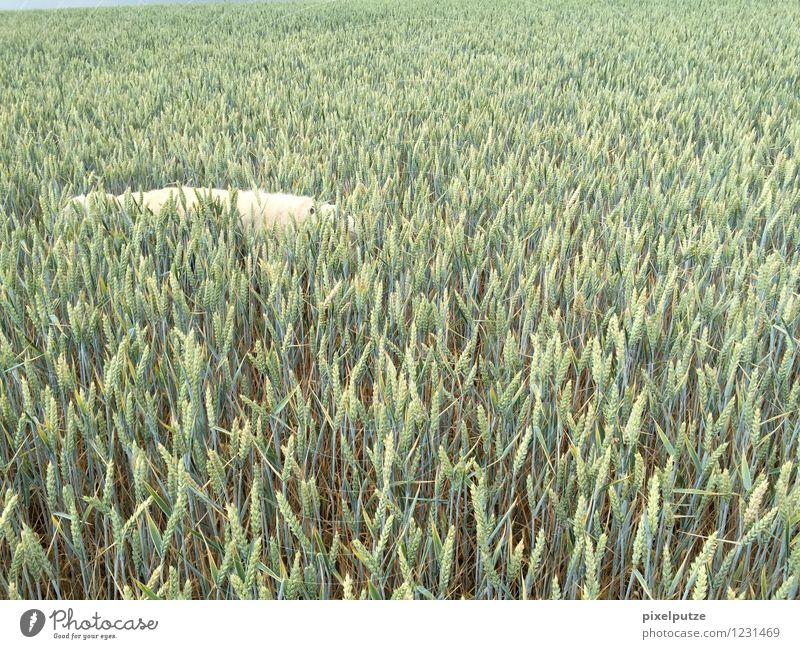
559	359
